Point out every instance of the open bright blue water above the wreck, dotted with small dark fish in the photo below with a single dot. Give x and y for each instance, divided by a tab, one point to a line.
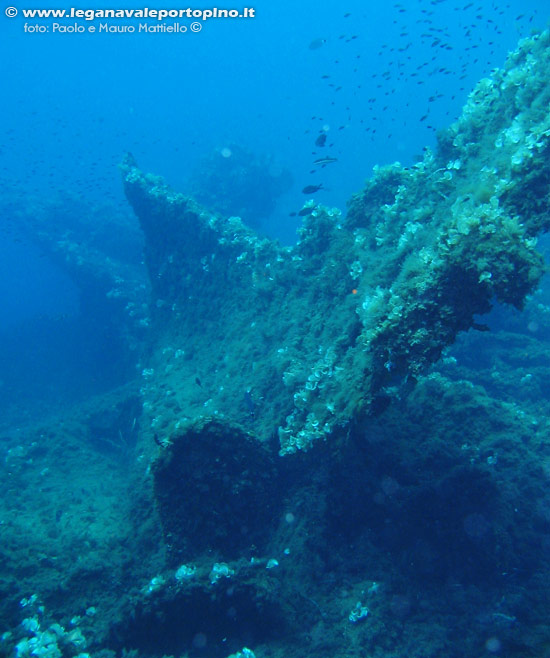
74	103
